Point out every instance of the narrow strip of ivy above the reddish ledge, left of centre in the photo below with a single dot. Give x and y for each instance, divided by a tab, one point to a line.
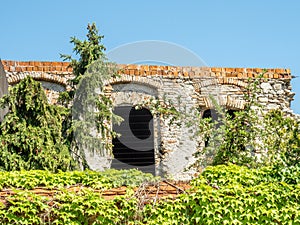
97	180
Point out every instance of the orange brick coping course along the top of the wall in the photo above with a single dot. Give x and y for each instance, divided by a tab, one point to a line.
149	70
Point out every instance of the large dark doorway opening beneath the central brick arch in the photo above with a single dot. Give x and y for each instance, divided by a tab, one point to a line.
135	147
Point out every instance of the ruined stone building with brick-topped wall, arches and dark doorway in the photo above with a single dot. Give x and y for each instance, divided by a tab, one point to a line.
169	150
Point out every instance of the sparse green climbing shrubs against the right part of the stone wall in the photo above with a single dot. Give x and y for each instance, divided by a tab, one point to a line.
251	137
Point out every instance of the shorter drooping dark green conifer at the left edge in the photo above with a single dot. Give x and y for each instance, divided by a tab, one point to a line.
31	133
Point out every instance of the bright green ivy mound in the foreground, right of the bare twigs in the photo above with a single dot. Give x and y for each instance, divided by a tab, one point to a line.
231	195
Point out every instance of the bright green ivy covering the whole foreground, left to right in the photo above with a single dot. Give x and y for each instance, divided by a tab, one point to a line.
220	195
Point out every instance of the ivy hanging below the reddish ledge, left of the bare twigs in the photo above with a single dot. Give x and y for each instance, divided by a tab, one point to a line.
85	207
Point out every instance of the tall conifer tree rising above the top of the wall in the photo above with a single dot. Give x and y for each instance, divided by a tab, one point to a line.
91	108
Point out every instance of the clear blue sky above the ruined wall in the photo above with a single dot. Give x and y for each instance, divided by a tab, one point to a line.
229	33
